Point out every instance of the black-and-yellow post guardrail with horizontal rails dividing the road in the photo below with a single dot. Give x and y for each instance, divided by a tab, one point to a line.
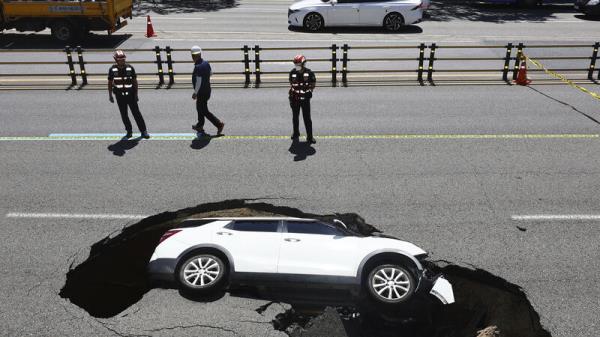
425	59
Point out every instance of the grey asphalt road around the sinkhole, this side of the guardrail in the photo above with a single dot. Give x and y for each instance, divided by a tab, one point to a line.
453	197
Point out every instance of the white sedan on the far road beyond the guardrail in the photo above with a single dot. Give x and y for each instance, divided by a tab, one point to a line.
314	15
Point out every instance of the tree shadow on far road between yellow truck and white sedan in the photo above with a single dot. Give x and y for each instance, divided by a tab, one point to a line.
181	6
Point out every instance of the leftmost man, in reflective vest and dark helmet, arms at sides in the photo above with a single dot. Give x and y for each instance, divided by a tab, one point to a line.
122	81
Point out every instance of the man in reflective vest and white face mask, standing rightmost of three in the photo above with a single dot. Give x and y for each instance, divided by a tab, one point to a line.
302	84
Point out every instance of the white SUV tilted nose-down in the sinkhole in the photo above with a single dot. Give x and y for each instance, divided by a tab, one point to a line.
207	255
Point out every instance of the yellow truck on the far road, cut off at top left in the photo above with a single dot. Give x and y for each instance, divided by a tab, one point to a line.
67	20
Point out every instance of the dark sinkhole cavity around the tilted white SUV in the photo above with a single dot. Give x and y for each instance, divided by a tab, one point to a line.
114	277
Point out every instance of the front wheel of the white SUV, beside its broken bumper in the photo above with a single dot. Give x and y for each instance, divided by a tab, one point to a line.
391	284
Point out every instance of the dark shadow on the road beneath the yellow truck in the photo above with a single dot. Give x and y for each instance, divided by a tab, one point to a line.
46	41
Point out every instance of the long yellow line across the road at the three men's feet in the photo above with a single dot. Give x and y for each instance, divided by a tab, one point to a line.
192	136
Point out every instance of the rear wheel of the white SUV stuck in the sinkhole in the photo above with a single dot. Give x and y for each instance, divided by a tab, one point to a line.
201	273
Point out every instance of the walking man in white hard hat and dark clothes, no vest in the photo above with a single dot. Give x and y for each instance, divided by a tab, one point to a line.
202	90
